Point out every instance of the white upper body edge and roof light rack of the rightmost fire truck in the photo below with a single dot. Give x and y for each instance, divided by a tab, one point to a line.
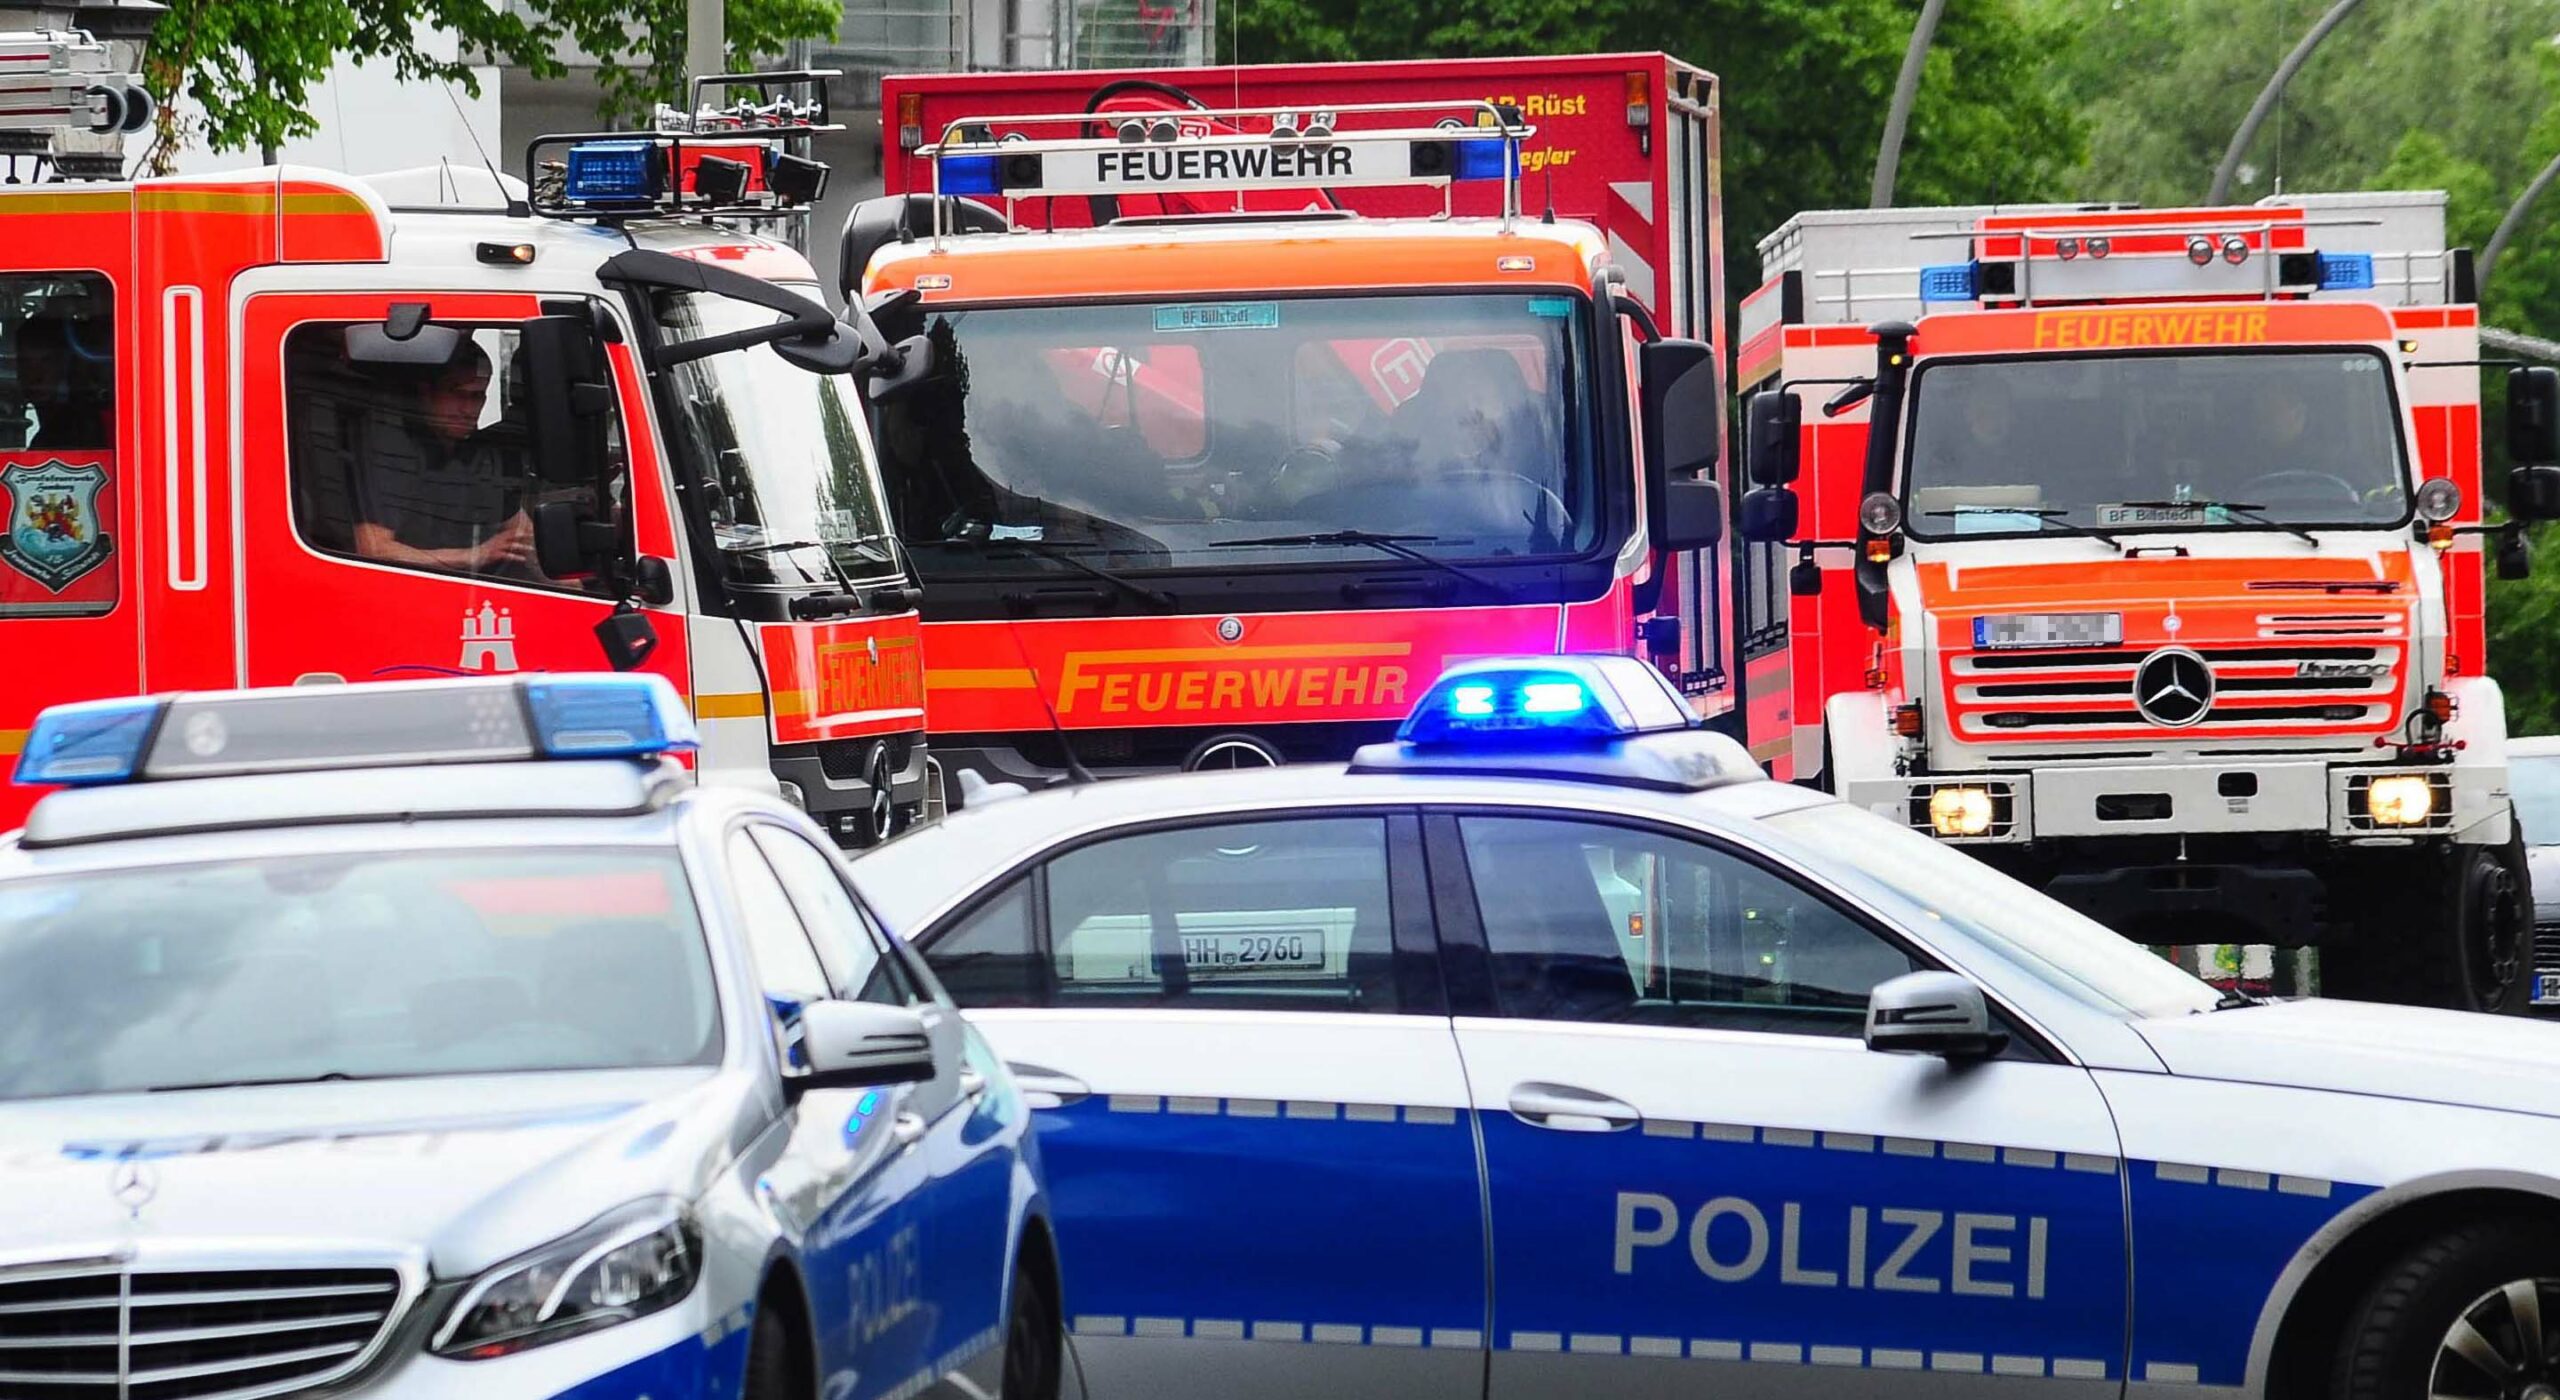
1862	267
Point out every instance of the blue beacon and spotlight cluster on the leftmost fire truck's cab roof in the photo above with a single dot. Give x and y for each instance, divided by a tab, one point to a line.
713	160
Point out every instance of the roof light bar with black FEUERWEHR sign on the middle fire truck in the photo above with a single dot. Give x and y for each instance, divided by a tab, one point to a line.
1233	150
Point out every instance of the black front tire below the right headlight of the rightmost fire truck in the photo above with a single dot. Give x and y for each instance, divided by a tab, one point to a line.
2441	933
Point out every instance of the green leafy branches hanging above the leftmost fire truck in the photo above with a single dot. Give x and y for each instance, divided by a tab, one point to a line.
239	73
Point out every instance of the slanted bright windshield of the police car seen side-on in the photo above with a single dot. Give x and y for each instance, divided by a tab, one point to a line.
2060	946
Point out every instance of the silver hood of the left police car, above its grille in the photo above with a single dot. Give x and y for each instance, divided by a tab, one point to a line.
467	1171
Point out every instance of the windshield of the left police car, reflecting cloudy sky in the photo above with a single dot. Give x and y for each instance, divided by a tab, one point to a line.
352	966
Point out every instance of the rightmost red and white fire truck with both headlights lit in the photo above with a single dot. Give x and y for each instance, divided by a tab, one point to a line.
2141	554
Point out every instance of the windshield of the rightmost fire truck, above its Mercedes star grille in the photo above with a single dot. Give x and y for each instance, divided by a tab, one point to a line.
2154	441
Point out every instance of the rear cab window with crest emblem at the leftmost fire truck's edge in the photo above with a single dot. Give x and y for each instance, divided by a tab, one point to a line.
58	447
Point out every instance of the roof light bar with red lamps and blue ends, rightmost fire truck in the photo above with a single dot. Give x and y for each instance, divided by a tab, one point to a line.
2121	260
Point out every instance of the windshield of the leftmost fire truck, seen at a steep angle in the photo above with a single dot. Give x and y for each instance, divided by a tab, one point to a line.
782	449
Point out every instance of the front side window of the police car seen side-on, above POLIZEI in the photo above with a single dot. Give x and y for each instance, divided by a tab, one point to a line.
1591	923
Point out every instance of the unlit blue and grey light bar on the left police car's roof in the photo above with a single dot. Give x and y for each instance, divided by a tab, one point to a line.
308	728
